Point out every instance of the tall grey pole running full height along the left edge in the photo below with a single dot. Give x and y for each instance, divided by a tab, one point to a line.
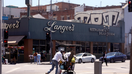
0	36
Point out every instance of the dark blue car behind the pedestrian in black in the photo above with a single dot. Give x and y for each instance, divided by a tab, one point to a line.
114	56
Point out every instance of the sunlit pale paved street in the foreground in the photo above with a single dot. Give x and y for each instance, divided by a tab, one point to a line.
83	68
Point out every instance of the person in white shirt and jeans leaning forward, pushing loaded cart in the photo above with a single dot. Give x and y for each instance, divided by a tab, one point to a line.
57	57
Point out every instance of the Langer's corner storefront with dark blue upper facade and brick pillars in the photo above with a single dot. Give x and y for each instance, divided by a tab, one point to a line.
28	35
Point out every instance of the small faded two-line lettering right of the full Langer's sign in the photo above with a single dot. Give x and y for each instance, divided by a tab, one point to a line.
101	31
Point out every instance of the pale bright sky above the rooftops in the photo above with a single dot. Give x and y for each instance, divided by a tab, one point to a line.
96	3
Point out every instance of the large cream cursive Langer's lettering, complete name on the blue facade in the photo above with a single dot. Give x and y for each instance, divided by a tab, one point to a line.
53	27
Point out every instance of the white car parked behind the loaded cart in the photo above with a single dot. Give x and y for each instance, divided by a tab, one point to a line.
85	57
